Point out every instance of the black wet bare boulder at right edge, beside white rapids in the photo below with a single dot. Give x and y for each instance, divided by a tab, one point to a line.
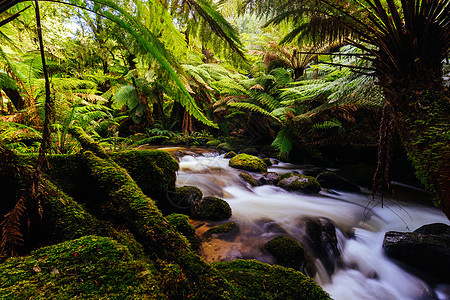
426	250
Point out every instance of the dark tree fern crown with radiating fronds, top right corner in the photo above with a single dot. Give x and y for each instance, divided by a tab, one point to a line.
409	37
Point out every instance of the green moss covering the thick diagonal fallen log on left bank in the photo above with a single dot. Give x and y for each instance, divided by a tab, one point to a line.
147	224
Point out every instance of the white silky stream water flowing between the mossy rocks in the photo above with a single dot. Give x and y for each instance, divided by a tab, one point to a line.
265	212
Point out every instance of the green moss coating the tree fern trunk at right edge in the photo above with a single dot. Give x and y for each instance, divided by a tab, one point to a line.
424	128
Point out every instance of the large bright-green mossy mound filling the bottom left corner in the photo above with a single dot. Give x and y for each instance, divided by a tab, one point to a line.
91	267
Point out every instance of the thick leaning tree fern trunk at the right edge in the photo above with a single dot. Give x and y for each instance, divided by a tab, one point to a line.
421	112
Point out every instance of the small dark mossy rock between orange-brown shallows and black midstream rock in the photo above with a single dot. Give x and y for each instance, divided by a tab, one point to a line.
287	252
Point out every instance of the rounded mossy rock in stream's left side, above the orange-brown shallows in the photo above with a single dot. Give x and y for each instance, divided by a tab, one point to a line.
212	208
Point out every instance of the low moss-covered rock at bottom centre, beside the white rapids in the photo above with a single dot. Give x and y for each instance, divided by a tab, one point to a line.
255	280
